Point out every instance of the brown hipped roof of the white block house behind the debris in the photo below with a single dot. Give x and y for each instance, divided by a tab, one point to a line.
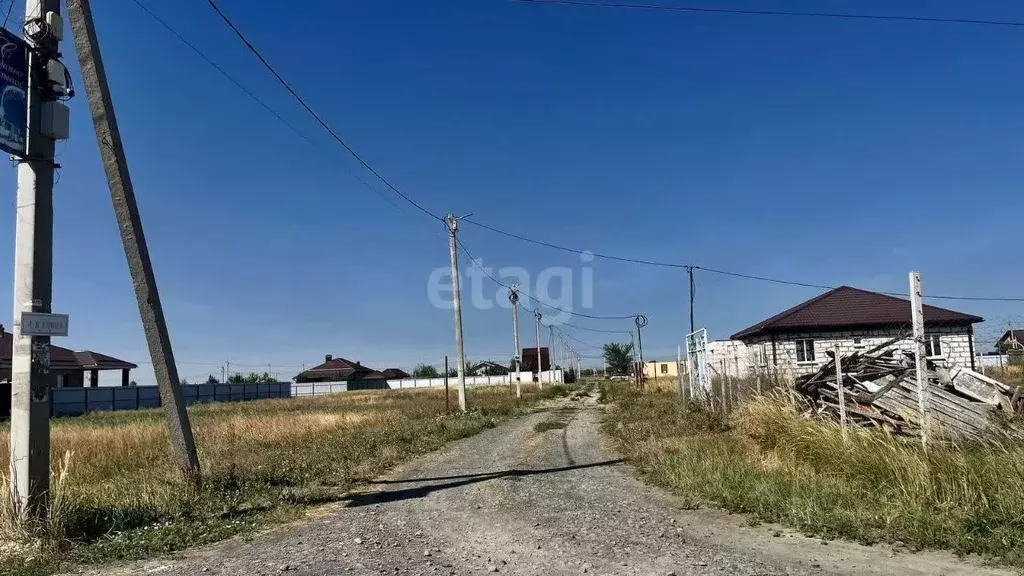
852	308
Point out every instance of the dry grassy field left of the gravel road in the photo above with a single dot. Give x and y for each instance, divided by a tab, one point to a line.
119	496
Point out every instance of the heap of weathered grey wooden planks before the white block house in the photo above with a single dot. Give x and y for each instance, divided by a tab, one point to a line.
881	391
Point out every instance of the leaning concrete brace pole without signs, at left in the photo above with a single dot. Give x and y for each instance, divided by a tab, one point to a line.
126	211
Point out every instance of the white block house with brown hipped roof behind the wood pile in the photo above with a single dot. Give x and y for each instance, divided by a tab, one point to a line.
795	341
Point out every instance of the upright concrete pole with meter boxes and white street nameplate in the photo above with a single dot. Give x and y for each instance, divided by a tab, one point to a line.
31	378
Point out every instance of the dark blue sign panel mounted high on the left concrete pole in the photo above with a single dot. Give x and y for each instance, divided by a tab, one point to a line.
14	91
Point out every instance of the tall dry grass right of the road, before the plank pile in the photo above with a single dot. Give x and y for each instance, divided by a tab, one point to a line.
774	464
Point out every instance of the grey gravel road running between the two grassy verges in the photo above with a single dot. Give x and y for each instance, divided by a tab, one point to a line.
516	501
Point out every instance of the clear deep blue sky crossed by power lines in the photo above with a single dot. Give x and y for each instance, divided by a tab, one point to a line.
833	152
